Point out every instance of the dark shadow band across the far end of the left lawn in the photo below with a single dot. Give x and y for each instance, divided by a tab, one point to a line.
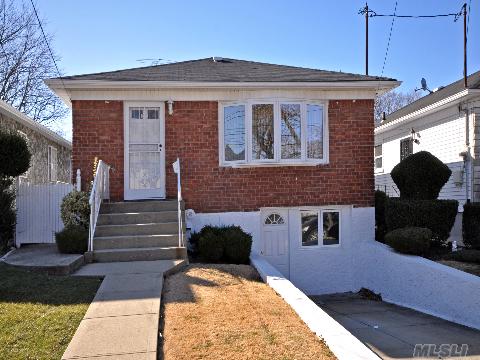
21	286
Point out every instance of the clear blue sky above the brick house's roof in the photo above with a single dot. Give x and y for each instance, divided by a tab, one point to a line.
104	35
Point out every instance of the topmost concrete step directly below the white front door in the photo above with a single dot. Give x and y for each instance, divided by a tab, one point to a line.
138	206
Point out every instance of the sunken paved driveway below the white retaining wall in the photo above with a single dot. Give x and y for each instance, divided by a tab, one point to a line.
392	331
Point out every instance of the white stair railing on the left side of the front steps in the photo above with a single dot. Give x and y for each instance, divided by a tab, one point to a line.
100	191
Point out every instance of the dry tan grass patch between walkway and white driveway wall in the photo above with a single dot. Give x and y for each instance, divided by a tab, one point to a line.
225	312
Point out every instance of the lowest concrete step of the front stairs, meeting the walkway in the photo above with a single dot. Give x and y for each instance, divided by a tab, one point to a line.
140	254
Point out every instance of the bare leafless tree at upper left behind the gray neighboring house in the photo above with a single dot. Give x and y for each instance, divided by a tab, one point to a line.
25	61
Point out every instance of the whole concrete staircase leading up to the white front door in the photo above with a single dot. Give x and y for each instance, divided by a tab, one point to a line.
138	231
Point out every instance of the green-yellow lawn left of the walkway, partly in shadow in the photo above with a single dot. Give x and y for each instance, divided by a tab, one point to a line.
39	313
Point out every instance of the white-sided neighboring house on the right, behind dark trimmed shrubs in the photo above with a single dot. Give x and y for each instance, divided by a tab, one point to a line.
444	123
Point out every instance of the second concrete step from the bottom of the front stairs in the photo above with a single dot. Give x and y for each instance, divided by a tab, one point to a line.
132	241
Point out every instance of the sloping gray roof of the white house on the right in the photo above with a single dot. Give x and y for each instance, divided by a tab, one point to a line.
473	82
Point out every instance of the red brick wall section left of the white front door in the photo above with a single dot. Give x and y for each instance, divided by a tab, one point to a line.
98	131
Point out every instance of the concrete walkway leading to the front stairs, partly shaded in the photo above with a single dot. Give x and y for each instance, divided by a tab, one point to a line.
122	321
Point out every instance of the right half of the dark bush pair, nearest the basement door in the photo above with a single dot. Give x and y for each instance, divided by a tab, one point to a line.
238	245
